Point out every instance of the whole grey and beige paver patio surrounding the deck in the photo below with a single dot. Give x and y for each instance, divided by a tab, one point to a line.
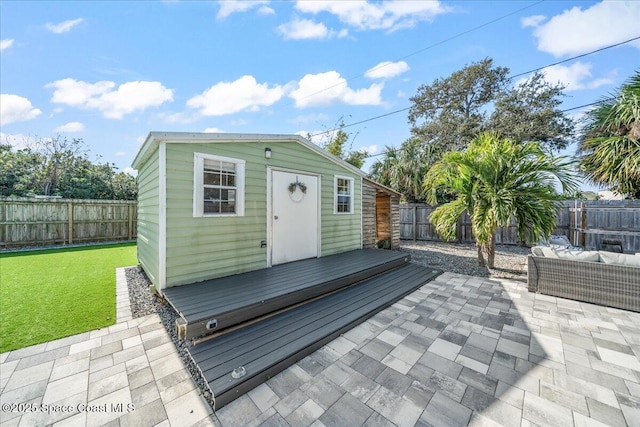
459	351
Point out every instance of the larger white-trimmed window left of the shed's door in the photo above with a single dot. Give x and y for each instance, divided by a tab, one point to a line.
219	186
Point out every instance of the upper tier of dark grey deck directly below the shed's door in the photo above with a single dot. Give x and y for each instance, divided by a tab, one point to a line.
213	305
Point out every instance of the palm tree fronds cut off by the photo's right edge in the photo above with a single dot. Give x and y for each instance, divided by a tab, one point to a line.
610	144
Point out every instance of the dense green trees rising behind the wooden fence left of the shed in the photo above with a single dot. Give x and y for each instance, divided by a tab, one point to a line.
61	167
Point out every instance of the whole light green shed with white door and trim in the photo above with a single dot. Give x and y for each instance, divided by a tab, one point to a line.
217	204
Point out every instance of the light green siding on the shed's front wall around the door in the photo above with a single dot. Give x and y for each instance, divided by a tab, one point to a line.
209	247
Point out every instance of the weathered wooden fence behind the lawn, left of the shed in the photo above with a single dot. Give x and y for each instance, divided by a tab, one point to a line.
47	221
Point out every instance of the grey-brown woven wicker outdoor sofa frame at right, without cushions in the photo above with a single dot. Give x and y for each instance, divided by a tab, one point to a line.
595	282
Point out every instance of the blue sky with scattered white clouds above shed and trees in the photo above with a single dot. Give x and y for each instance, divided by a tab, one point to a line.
110	72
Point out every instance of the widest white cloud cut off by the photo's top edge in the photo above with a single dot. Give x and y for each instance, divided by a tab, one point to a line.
386	15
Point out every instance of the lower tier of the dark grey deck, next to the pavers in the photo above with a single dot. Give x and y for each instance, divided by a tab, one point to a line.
265	348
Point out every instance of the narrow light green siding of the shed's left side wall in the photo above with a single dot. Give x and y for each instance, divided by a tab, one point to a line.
148	217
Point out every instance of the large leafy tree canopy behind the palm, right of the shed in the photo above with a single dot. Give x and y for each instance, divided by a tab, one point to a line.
450	112
